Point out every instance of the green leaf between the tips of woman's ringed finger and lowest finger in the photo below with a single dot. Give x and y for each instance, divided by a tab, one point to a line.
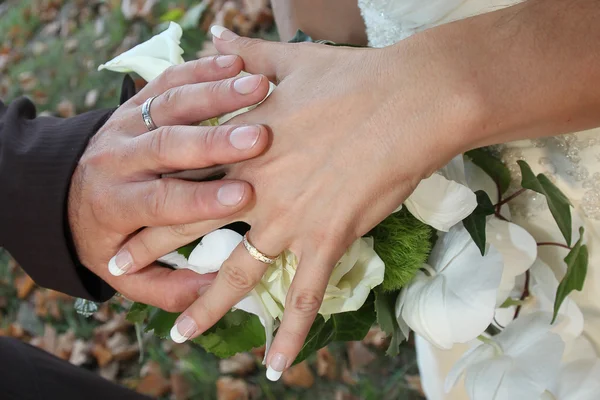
237	333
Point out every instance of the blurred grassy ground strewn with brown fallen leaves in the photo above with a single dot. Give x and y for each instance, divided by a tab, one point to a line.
49	52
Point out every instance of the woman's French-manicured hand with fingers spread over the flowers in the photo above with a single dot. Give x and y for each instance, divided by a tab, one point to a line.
353	132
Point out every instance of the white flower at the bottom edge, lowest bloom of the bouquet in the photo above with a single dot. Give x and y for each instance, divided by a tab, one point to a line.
519	363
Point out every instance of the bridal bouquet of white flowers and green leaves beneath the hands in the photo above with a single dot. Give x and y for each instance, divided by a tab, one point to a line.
448	265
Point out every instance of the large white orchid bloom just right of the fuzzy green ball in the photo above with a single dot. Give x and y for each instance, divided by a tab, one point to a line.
454	301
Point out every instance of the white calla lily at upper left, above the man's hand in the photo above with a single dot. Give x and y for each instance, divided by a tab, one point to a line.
151	58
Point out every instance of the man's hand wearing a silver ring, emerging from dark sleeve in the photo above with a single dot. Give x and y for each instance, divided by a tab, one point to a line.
117	188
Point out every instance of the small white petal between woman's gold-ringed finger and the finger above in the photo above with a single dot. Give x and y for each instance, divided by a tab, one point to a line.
216	247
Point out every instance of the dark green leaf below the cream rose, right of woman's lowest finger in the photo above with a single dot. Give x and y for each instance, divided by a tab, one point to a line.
348	326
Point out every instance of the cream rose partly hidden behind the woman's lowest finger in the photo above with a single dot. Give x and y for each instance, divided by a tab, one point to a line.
359	270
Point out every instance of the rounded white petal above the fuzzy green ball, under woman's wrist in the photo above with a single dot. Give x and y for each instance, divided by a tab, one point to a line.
441	203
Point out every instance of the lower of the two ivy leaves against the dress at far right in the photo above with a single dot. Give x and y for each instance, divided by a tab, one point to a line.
577	263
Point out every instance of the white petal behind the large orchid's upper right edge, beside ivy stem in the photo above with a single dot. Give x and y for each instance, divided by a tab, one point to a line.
518	249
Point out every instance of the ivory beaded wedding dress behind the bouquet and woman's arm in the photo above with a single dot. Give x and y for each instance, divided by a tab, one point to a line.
572	161
